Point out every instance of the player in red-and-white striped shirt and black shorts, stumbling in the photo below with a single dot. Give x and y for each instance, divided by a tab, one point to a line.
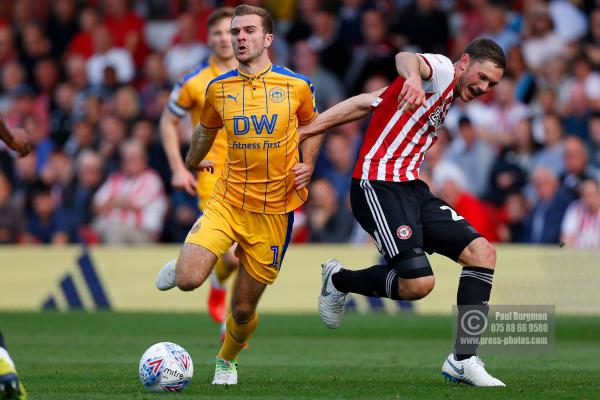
397	208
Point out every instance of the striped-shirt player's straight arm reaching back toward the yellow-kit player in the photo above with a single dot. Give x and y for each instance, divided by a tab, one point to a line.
348	110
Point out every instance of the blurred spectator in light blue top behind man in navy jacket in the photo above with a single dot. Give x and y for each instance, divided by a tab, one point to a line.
551	155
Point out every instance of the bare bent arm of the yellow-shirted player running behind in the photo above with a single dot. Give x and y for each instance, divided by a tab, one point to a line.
182	179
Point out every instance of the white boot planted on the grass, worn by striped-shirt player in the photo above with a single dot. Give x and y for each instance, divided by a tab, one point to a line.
470	371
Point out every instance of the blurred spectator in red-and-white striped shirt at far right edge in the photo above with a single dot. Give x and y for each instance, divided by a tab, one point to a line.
581	224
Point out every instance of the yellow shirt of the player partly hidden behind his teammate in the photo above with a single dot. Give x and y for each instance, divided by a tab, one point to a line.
188	95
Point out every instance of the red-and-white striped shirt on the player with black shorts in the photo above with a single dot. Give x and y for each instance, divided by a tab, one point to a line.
395	142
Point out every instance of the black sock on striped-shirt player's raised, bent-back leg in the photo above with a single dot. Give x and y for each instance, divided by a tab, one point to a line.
376	281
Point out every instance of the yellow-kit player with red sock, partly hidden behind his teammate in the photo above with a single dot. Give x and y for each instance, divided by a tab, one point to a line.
188	97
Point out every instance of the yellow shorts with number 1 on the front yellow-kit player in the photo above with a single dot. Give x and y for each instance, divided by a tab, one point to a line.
262	238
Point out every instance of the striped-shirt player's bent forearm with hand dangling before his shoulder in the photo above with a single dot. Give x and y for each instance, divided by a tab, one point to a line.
413	69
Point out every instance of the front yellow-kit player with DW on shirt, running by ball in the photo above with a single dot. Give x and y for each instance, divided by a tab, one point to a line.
261	106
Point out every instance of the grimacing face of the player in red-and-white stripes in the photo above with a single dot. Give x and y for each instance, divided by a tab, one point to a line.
477	78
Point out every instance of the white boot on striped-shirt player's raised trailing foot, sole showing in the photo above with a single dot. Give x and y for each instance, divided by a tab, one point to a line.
331	300
